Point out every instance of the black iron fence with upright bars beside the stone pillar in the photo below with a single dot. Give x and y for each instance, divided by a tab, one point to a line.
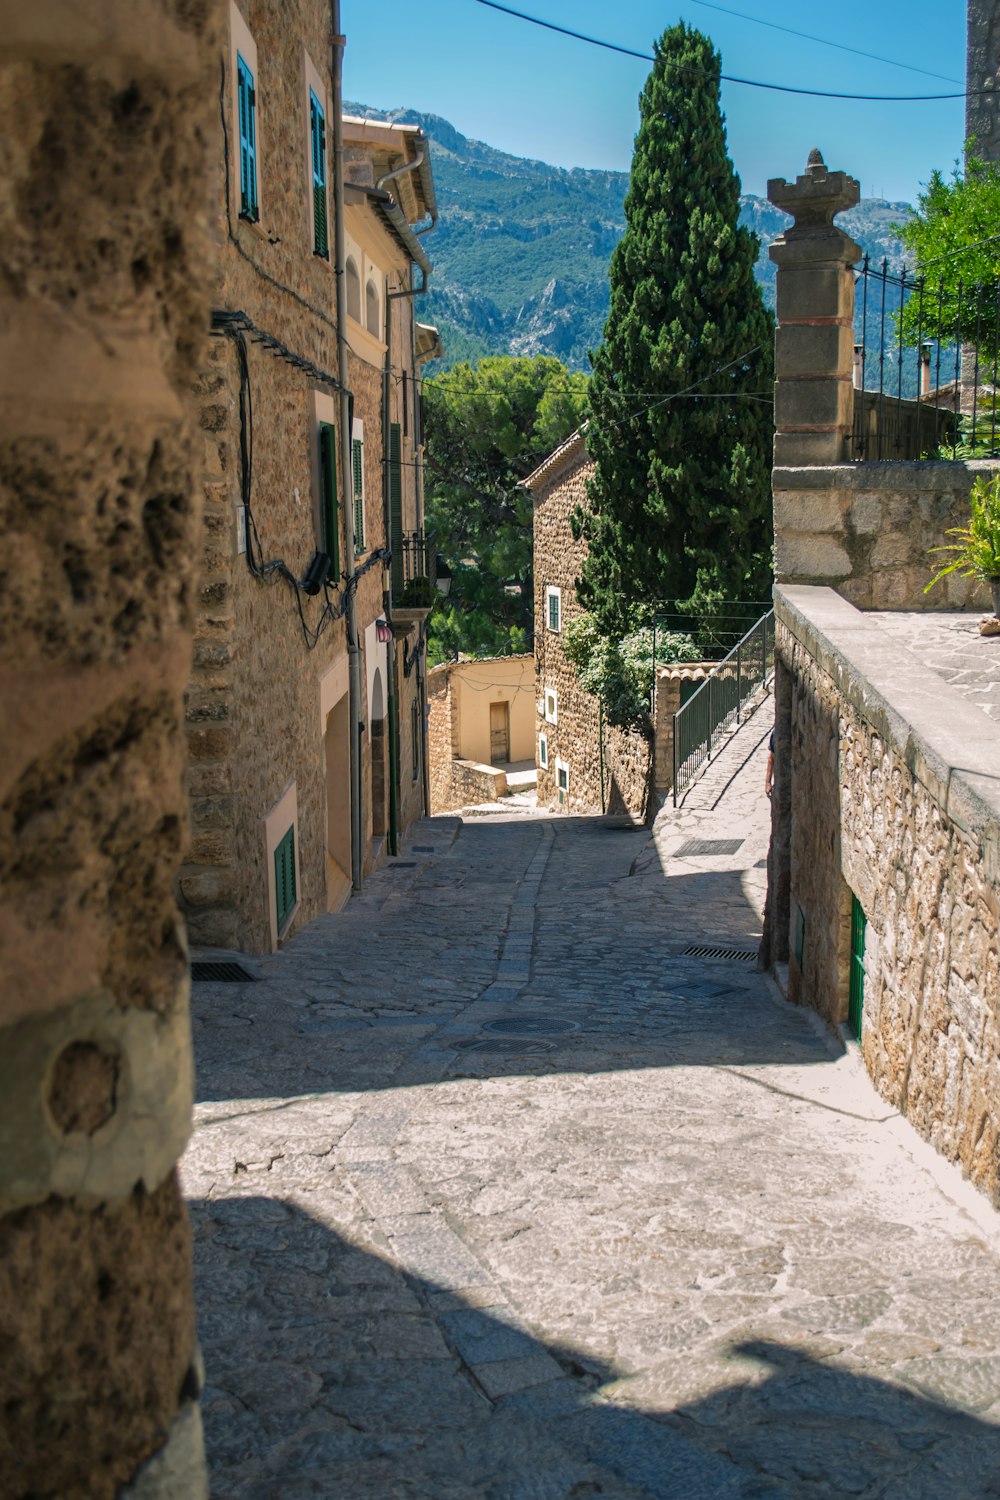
926	367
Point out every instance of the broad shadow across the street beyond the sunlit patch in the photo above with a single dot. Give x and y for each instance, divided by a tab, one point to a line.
374	998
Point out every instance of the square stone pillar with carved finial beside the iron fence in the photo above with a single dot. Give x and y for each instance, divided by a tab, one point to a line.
815	401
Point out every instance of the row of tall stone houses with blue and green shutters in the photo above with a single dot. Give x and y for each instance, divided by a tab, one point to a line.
302	706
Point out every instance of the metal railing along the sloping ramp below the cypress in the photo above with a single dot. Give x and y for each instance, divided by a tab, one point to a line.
720	703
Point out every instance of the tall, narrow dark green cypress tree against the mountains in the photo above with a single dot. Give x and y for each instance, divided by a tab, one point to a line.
681	421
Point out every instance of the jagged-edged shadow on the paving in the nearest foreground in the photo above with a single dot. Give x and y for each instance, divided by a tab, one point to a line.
332	1372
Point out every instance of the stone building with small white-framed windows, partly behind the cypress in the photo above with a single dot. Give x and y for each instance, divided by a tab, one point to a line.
584	764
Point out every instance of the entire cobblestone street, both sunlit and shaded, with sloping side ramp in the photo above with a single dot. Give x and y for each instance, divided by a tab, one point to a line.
500	1195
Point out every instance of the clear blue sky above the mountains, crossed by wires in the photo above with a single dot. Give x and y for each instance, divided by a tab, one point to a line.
548	97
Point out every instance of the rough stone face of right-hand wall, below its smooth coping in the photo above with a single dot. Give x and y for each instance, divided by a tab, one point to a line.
863	823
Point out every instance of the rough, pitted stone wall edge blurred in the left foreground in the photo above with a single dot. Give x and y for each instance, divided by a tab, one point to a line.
109	113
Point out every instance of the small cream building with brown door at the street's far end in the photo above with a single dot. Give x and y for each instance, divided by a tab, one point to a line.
482	724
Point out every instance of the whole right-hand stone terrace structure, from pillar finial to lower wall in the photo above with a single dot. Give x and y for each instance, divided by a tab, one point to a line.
885	863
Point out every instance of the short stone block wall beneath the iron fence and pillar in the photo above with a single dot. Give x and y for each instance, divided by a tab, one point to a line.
867	530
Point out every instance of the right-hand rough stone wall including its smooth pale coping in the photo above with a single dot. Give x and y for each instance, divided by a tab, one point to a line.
891	785
